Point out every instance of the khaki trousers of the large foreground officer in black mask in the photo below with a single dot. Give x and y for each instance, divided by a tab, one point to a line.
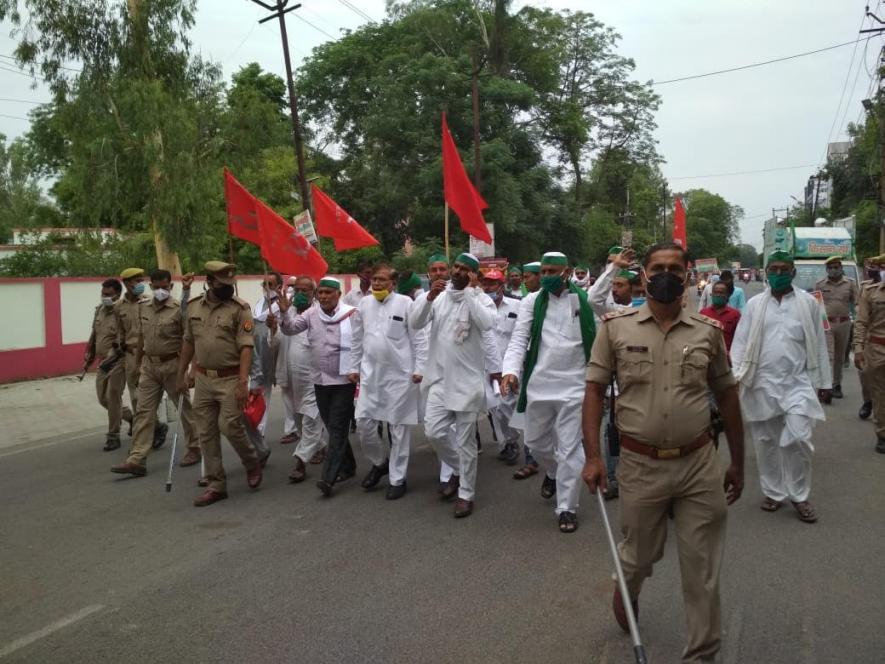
693	486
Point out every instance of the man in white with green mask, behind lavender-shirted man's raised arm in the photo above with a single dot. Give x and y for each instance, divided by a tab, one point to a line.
293	374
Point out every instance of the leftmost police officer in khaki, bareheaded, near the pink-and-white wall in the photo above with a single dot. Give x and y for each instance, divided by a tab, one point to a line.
105	344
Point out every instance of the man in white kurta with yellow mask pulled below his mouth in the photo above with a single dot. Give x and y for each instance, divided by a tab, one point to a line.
389	359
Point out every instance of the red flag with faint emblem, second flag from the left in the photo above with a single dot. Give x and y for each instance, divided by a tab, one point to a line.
284	248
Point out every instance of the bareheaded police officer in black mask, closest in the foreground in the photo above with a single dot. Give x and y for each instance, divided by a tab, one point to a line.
666	360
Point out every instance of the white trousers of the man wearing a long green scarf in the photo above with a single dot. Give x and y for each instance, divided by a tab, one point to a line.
553	433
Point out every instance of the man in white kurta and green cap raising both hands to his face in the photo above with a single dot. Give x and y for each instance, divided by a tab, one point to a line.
454	377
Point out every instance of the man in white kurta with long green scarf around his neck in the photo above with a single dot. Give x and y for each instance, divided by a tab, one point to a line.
555	389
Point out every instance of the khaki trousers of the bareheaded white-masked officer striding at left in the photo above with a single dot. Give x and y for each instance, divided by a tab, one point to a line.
156	378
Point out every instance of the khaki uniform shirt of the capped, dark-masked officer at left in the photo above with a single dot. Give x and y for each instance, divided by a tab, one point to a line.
218	331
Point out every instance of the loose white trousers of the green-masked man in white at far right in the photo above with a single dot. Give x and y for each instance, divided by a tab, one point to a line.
783	455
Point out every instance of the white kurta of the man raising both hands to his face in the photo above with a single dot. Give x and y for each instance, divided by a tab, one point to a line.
459	367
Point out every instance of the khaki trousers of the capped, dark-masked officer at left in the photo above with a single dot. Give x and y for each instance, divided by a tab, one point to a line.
215	412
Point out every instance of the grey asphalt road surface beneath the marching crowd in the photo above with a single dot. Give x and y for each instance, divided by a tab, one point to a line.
99	568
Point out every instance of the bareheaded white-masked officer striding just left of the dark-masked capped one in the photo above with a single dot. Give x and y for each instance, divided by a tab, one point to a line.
162	330
